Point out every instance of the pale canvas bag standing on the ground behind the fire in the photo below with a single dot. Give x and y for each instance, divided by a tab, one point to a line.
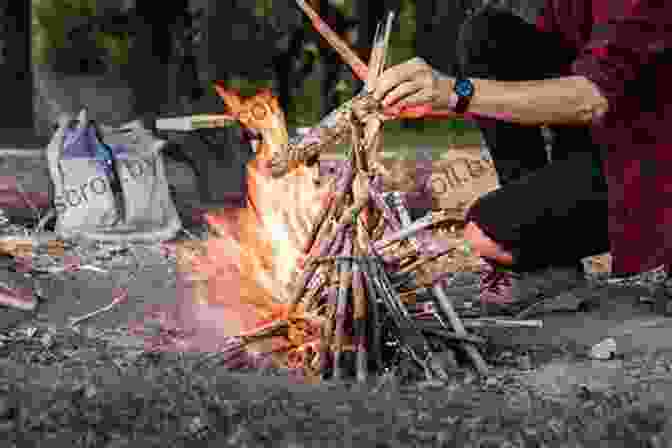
86	206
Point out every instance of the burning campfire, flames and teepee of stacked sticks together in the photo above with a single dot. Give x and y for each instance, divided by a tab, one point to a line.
333	272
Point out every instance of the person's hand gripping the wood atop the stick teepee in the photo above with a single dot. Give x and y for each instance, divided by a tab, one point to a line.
412	83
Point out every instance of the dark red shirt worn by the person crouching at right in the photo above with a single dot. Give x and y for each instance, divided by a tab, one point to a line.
624	46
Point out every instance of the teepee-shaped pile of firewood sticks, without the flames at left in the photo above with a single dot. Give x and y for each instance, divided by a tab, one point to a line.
365	274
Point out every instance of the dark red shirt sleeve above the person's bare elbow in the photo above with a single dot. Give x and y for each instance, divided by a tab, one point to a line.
621	46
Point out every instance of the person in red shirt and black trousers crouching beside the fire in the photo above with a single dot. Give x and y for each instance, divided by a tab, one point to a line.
594	72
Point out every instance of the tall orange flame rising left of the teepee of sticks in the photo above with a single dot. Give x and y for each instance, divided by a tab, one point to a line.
248	264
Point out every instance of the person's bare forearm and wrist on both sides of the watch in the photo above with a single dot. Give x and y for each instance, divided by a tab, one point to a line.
561	101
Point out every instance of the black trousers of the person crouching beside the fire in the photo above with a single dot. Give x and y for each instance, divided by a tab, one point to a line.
545	213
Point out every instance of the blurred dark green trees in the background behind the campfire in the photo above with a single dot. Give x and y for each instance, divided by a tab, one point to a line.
169	52
